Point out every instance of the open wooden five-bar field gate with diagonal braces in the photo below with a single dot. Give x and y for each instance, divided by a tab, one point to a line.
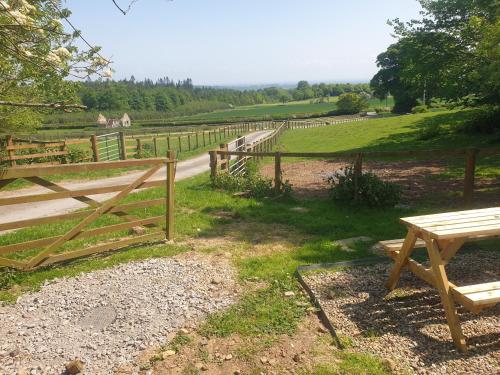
48	250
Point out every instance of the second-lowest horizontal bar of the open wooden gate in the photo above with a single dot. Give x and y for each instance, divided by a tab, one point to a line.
13	248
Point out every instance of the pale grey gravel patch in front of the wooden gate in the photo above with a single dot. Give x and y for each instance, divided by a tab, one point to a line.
106	317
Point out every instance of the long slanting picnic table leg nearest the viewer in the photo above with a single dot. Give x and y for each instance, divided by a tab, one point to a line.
443	286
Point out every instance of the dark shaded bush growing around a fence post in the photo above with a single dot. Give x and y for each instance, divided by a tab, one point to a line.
372	191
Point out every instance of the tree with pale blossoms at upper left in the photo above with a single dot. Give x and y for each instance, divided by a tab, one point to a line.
36	54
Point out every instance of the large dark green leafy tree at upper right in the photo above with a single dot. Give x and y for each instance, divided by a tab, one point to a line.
452	54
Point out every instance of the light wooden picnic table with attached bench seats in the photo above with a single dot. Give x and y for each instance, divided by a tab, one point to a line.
443	235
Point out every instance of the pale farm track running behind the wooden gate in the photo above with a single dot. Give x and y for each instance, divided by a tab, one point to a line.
185	169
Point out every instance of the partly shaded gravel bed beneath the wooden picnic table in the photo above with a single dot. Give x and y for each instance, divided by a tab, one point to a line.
407	327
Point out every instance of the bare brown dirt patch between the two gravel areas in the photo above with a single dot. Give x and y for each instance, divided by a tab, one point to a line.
283	354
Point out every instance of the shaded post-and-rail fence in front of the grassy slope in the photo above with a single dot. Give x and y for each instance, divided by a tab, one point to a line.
218	158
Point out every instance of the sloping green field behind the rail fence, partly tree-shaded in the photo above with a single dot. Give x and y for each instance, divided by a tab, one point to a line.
420	131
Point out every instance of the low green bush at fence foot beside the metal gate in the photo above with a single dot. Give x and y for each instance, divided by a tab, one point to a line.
250	182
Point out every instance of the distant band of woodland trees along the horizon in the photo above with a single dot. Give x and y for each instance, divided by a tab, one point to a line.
167	98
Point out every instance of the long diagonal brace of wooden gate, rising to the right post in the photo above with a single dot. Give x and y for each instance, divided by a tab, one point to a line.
106	206
